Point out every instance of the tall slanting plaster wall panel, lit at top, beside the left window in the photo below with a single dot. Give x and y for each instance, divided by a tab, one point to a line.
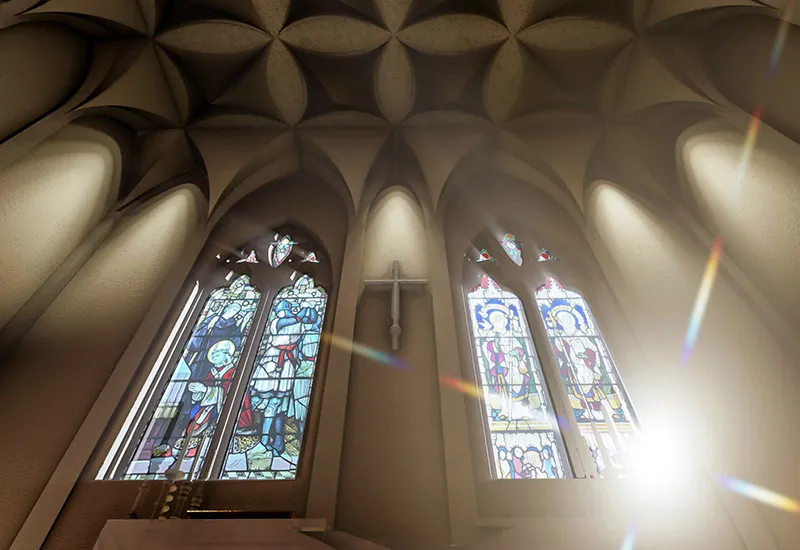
53	376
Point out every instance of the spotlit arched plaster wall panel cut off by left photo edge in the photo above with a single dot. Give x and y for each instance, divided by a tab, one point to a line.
49	201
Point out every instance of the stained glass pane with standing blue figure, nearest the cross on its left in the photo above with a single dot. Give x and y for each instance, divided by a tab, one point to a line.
269	435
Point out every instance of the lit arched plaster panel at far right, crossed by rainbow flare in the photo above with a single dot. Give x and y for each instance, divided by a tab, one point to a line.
758	218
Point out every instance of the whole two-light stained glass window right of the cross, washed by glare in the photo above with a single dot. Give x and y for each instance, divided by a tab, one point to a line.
545	415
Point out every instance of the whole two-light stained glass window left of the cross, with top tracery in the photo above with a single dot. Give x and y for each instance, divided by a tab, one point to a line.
229	394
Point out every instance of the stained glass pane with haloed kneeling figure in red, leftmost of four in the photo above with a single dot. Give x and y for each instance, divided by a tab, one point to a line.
192	400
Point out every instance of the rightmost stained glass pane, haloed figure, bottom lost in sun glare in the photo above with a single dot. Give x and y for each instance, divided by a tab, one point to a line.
588	373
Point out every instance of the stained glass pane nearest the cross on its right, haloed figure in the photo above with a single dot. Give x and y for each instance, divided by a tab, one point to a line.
522	425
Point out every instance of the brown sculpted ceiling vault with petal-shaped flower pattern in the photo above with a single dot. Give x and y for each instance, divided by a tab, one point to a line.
230	86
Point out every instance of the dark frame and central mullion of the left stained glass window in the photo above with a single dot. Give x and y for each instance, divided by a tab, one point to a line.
119	450
